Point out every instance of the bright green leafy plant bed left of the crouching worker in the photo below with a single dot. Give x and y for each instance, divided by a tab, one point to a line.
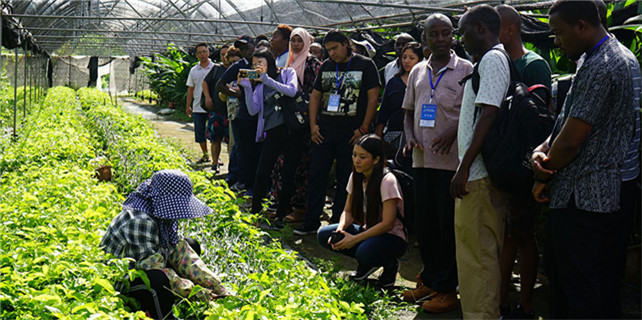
54	213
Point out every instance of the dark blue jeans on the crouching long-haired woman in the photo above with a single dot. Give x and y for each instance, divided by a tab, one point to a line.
377	251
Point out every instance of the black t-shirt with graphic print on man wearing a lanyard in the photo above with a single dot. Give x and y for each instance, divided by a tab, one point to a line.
361	75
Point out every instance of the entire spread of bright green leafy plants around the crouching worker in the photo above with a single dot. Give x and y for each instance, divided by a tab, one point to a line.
54	214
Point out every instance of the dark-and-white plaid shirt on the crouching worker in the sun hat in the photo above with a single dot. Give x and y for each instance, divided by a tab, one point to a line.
132	234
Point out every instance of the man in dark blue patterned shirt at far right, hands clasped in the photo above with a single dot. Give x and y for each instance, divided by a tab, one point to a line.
582	168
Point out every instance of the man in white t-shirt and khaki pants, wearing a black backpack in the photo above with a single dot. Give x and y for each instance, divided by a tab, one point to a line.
480	208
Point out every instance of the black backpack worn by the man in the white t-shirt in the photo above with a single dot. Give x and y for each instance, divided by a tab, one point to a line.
524	121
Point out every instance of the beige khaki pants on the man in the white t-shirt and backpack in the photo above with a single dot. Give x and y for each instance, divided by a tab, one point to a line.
479	232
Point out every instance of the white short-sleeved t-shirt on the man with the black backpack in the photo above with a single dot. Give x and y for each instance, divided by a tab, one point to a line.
494	73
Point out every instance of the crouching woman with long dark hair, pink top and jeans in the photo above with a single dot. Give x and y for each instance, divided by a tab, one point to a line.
370	228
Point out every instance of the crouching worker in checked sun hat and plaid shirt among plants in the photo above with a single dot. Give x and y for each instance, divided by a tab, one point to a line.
146	230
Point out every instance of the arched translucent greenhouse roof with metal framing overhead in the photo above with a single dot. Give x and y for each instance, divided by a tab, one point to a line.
141	27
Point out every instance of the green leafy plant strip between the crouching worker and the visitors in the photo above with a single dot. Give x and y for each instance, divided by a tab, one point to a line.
267	281
